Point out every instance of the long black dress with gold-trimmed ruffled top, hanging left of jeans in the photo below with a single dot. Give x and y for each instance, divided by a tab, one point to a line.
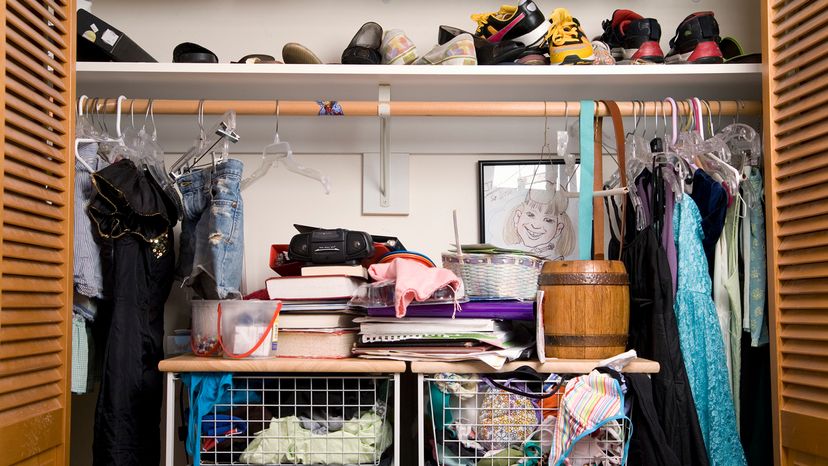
132	211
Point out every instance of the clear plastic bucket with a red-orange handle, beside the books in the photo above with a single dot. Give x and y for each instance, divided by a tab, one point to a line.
248	328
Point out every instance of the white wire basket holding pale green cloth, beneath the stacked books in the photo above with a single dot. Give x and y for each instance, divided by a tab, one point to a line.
287	420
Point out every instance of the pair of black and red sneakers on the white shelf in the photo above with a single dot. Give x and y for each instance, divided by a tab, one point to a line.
633	38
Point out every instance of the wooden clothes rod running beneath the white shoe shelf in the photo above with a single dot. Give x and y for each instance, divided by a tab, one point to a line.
423	109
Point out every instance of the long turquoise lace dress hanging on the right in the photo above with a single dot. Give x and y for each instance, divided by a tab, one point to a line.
701	341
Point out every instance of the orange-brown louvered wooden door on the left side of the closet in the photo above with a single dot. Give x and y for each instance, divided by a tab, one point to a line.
36	239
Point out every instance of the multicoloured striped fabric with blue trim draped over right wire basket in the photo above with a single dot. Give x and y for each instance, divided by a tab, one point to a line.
589	402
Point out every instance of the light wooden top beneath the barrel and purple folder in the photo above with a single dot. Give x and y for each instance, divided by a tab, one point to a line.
561	366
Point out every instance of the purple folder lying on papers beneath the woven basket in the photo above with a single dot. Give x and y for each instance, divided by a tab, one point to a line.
504	310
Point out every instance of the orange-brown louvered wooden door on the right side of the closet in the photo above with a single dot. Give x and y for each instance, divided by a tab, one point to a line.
796	130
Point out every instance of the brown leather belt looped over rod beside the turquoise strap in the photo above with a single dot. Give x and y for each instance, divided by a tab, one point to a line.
597	203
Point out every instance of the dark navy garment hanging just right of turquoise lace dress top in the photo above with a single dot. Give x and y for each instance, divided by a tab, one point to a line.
712	201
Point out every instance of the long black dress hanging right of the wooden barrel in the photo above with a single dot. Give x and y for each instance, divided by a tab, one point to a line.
653	332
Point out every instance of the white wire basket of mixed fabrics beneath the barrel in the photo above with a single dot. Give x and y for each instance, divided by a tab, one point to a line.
476	424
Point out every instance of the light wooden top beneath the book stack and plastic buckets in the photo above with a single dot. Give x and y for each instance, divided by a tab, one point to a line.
192	363
